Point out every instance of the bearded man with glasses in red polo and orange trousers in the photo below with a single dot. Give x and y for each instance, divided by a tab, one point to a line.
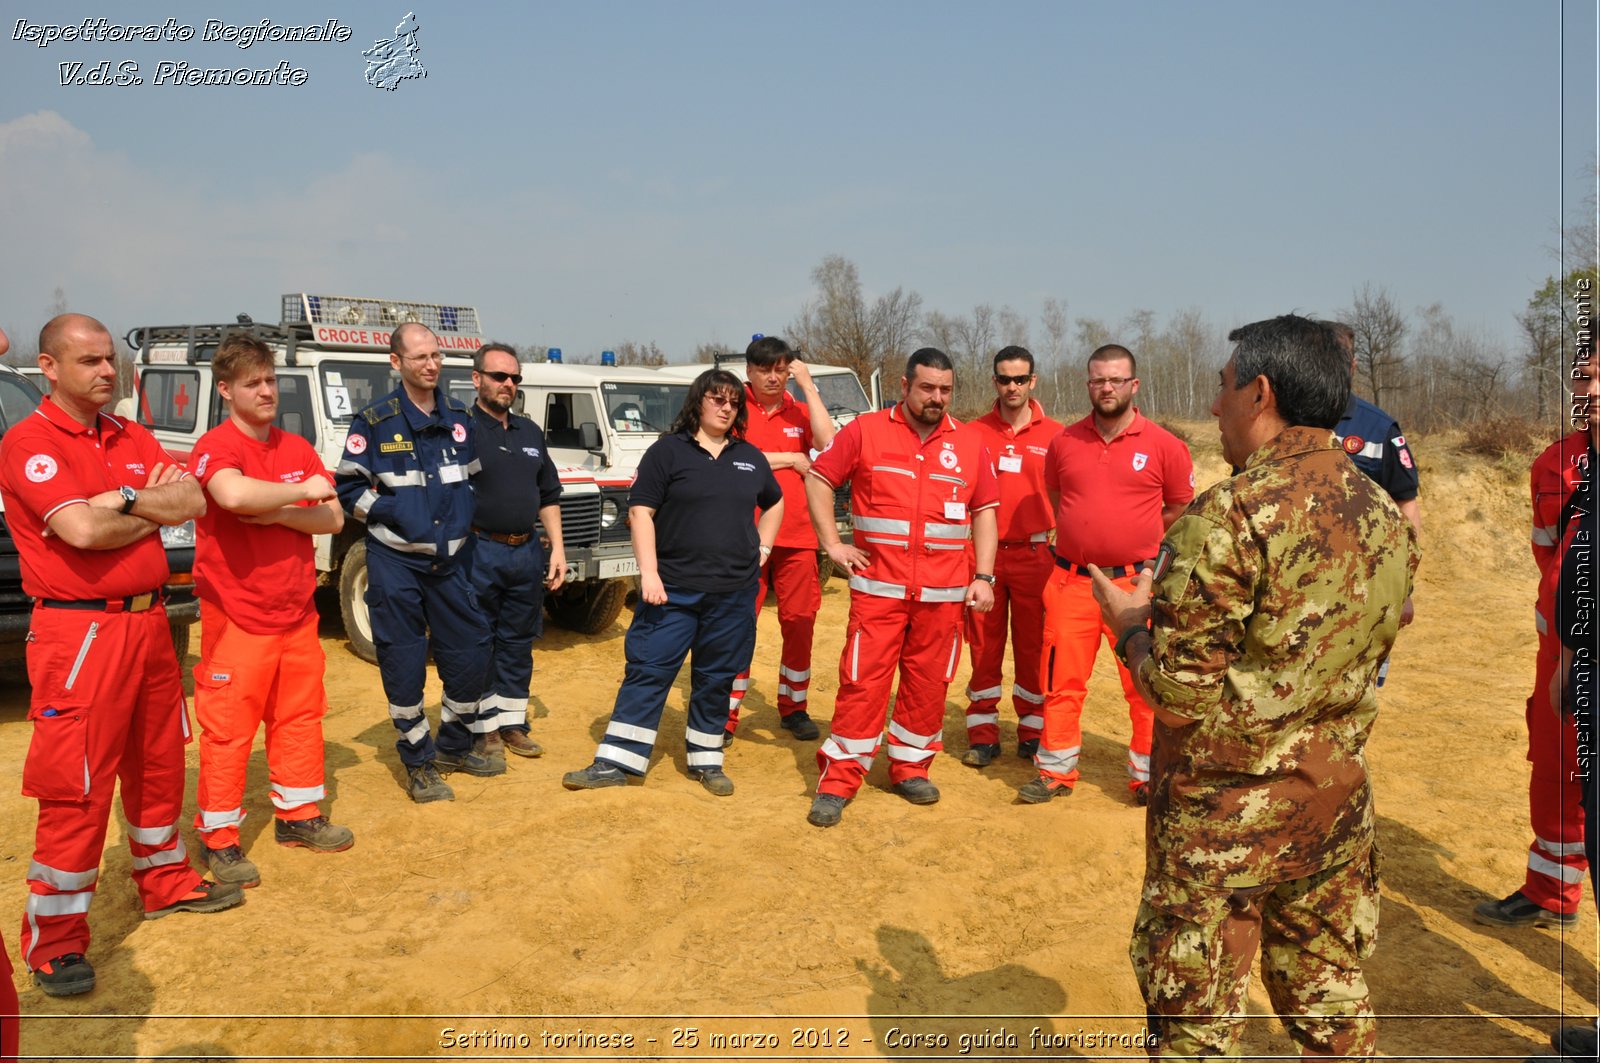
1116	484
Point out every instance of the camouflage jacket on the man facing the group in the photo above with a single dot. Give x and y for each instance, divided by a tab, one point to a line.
1278	598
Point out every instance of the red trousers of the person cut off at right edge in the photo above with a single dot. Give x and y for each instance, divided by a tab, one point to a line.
1556	859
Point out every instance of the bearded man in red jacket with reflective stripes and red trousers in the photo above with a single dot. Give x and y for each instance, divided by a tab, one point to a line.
922	489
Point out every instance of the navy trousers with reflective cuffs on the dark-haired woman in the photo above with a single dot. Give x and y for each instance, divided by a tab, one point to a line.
719	632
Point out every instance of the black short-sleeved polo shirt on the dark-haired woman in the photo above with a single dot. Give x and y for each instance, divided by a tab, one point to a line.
705	511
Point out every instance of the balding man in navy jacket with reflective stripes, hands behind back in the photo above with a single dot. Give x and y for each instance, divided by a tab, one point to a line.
404	473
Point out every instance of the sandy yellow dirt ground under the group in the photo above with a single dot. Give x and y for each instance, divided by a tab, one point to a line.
657	921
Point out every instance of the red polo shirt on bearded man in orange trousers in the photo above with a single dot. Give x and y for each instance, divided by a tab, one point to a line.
1113	494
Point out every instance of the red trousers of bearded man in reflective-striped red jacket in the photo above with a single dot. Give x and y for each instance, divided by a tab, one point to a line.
926	641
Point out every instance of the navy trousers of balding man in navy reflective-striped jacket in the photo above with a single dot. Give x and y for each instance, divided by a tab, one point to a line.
412	612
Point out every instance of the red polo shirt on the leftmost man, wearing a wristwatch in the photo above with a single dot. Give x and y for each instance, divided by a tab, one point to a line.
49	462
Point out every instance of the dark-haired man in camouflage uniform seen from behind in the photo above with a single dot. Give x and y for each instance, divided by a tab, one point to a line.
1276	598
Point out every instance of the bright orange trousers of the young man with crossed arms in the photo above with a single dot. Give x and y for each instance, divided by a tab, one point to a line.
242	683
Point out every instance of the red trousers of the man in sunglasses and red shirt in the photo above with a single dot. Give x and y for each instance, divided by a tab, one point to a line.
1022	572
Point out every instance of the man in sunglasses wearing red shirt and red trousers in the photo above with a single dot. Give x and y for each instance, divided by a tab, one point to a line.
1018	436
